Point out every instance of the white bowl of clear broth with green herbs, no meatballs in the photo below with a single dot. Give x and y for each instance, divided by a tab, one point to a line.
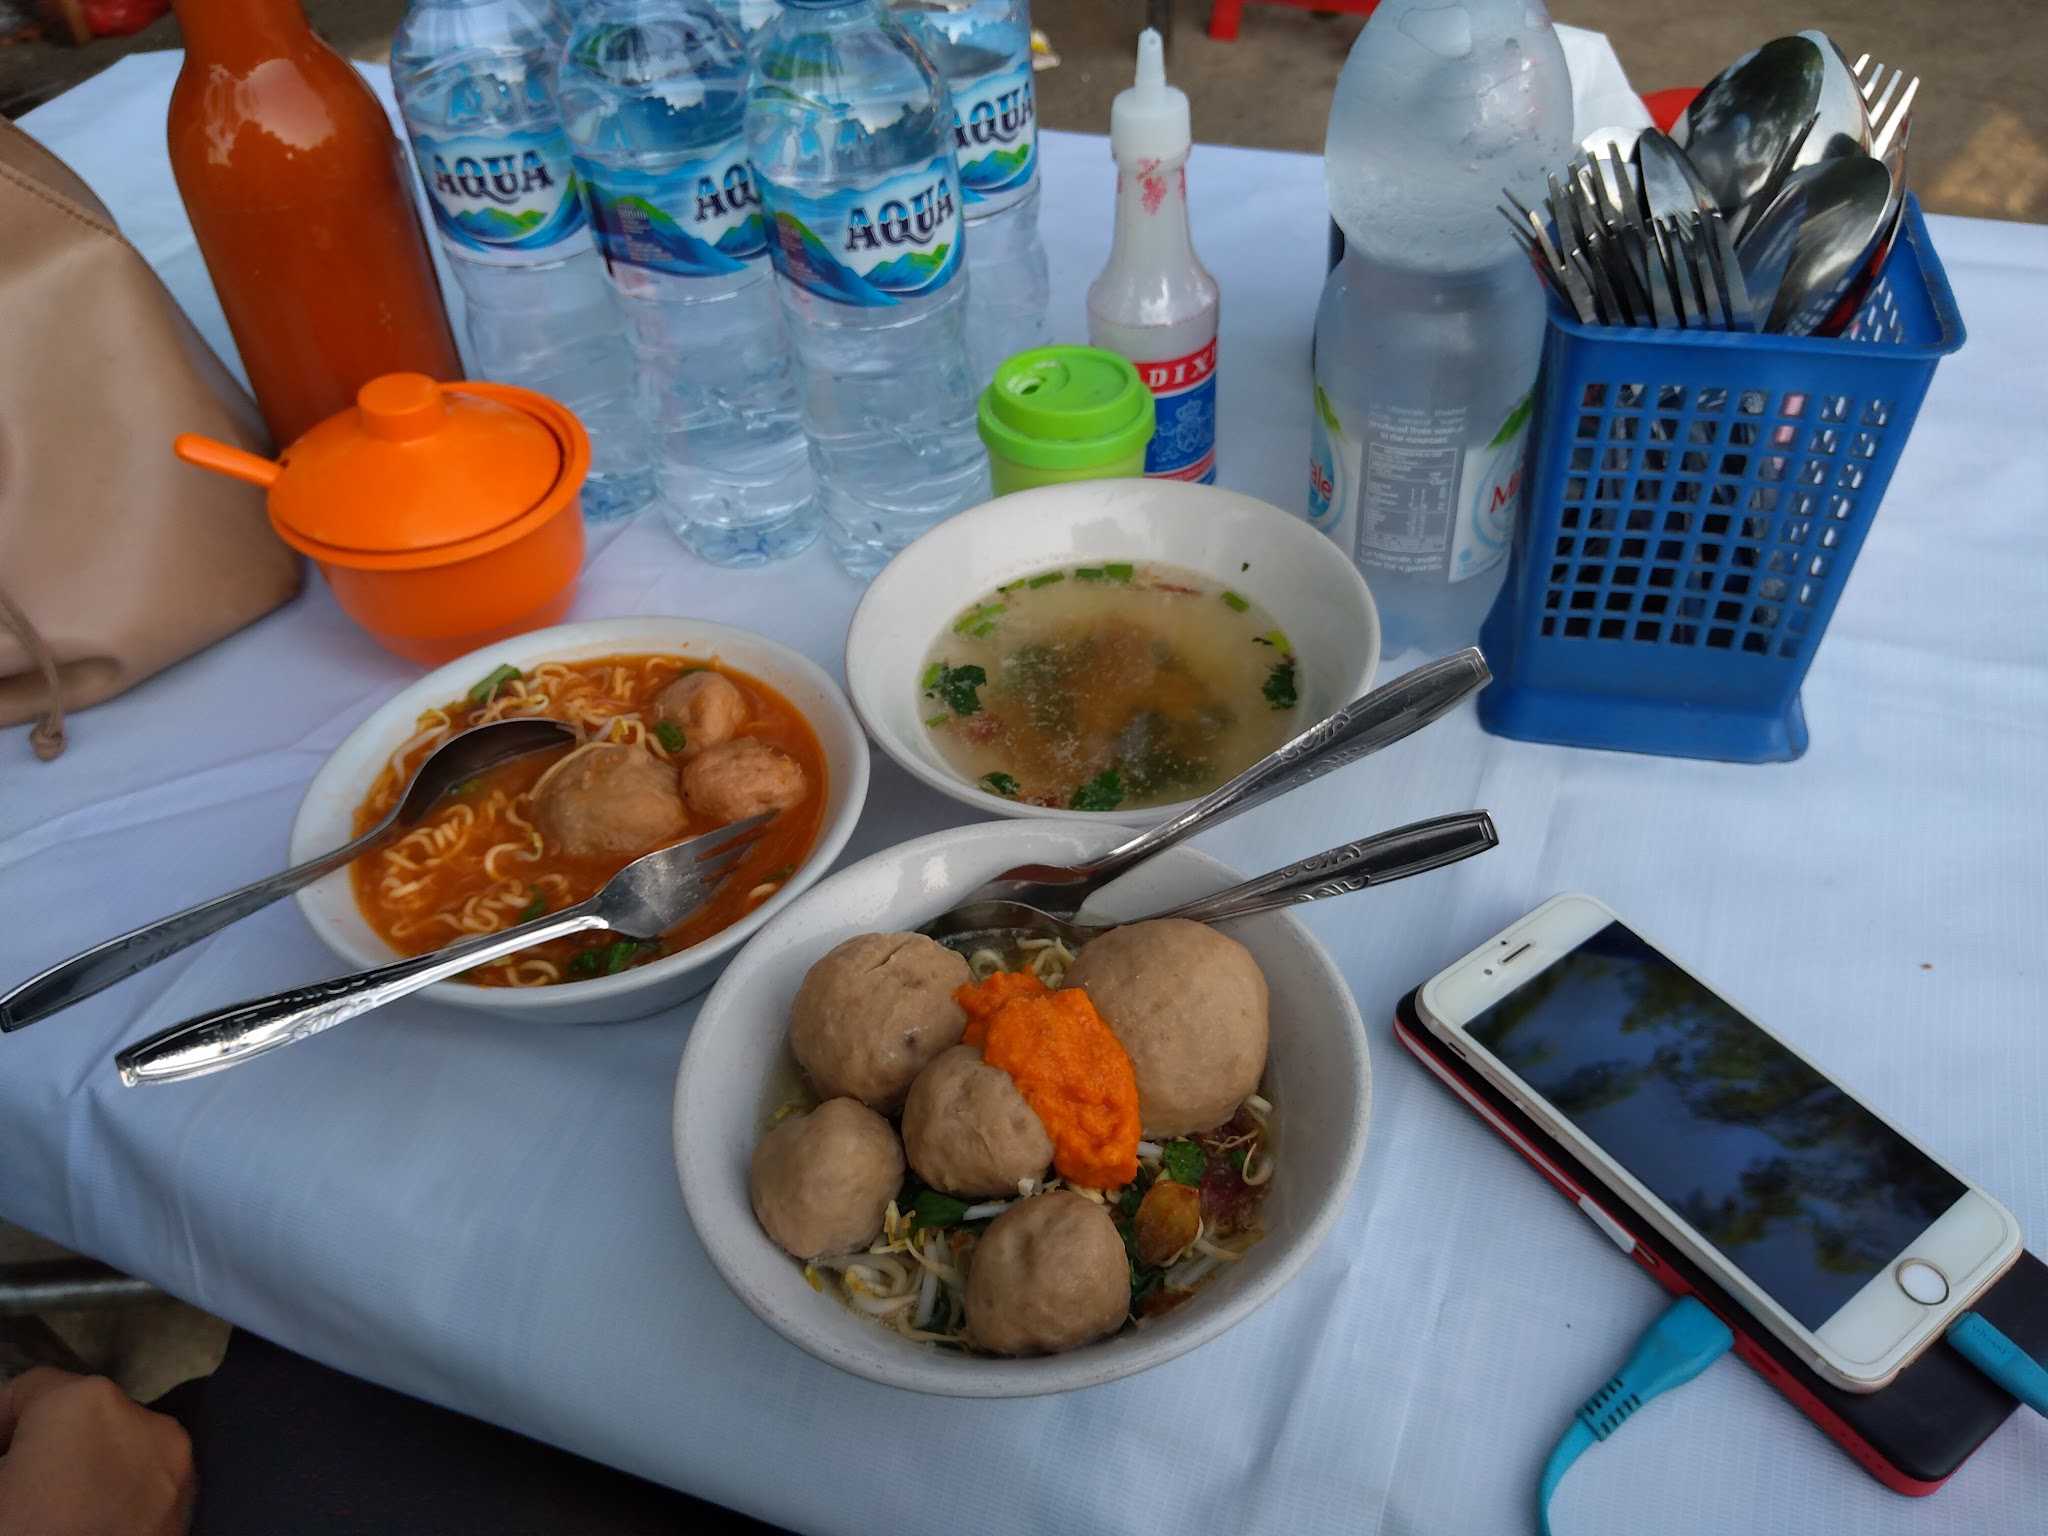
1107	648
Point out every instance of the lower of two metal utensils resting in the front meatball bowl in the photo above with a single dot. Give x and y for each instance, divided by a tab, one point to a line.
1353	867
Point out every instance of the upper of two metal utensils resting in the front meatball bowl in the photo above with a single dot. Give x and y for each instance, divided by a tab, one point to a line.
1390	714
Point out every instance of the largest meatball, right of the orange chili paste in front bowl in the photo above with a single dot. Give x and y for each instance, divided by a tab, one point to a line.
1191	1009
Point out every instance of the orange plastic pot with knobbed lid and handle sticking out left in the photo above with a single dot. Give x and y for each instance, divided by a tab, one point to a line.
443	515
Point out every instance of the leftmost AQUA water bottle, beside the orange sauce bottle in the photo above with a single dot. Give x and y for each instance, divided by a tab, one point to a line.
476	85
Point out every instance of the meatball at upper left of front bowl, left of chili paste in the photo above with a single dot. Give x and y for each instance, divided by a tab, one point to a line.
873	1013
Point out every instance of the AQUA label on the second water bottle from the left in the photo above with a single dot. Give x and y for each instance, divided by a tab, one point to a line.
701	218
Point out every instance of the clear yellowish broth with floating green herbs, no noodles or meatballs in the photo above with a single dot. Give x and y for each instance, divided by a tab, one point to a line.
1109	687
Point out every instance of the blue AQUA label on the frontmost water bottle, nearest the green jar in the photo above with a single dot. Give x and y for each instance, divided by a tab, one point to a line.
869	247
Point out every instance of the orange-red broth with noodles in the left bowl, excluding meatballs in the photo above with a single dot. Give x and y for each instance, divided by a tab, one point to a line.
480	861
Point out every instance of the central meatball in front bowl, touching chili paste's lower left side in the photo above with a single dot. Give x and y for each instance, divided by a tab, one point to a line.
968	1127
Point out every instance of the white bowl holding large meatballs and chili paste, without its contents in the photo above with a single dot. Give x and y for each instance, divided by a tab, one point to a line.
738	1068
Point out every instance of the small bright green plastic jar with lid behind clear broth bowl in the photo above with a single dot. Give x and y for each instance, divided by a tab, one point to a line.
1066	413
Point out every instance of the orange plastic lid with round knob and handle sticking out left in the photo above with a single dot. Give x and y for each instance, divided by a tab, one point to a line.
415	466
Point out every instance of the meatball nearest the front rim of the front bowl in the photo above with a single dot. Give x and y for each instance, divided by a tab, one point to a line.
1048	1275
